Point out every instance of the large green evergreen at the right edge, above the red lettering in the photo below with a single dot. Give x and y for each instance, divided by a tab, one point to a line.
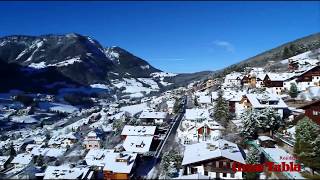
307	143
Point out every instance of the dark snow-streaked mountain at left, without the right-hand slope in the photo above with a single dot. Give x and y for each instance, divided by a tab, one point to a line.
75	59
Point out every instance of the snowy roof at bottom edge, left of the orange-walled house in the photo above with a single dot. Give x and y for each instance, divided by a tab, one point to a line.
66	172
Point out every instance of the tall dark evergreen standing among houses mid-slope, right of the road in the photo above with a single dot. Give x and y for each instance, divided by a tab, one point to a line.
221	110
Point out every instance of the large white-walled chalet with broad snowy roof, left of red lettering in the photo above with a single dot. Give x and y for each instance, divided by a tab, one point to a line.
213	159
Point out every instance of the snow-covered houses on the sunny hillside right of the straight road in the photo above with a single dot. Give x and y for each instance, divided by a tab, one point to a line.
208	155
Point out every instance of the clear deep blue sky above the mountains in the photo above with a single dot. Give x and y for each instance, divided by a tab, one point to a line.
172	36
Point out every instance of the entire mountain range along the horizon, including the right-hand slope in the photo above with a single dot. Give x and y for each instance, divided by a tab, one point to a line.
32	63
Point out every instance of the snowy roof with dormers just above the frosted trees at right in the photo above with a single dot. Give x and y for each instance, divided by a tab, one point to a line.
256	99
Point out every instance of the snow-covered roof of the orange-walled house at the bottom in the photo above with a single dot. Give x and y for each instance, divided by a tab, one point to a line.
120	162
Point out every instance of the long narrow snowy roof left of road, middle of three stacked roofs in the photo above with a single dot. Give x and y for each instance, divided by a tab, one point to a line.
138	130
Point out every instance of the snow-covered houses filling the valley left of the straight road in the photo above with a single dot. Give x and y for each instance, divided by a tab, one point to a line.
61	140
